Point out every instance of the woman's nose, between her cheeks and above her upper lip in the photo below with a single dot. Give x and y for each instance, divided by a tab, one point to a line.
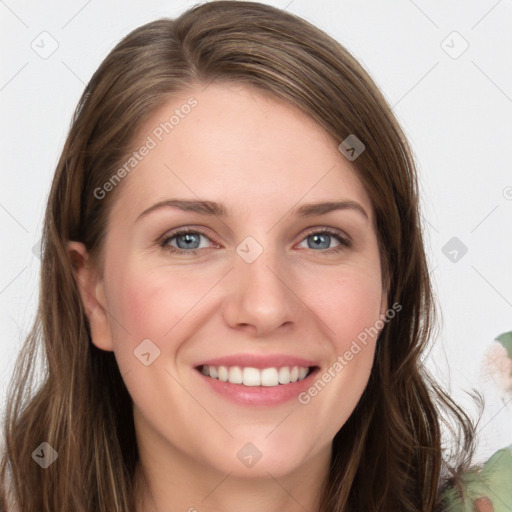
260	295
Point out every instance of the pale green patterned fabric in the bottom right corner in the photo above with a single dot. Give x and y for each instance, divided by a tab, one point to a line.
487	488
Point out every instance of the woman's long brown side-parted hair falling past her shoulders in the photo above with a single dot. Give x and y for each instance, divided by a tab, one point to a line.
388	455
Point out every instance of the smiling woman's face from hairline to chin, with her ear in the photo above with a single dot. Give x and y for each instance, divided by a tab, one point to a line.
251	292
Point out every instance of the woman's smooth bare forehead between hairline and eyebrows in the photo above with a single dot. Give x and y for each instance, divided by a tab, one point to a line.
239	146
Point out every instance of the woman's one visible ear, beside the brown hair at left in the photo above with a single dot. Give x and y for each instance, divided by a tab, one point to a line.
92	292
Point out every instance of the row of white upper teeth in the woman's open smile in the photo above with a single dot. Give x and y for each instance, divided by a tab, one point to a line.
268	377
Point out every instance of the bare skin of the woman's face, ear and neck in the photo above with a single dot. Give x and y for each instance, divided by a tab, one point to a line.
261	157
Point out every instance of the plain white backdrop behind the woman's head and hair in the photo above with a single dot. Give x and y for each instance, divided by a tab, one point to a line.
456	113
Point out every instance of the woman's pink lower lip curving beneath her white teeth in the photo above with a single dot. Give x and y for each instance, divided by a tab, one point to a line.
259	395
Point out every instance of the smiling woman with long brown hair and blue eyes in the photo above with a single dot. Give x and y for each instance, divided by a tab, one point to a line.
274	365
